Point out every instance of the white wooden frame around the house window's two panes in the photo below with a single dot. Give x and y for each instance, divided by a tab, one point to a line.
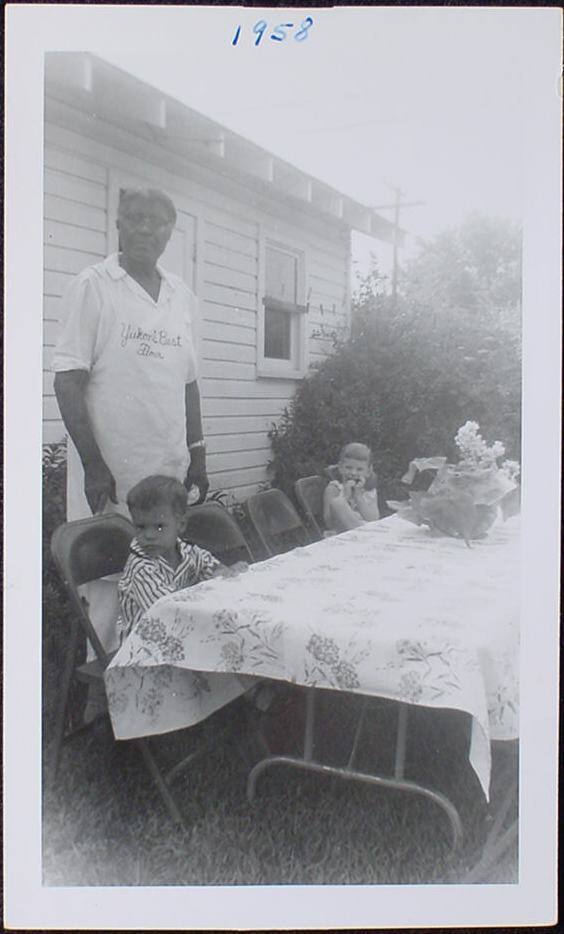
270	367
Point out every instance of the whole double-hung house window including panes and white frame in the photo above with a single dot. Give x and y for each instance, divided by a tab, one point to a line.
282	334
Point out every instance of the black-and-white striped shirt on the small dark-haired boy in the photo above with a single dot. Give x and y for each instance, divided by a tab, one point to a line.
145	579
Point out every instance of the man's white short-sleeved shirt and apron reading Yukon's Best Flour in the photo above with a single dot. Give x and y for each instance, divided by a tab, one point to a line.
139	354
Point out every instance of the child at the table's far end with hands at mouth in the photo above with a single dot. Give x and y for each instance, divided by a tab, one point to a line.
351	498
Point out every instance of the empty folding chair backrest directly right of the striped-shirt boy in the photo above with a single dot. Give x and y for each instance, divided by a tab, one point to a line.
212	527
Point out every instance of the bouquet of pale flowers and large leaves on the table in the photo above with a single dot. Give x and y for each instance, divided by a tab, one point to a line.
463	499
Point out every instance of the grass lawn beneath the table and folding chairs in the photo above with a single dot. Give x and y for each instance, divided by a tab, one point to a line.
104	823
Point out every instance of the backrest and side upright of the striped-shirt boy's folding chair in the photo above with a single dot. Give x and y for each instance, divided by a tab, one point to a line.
86	550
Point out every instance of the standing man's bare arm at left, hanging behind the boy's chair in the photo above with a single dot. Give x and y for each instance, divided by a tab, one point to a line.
99	484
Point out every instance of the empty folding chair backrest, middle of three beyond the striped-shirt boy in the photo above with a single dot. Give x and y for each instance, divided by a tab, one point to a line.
276	522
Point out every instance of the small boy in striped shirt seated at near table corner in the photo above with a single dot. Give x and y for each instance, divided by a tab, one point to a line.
160	562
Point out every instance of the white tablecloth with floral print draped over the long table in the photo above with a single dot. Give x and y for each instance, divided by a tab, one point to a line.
385	610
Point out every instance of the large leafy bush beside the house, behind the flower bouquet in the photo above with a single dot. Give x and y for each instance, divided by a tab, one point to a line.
412	371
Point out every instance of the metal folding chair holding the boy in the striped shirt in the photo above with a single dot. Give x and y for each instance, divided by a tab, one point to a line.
84	551
